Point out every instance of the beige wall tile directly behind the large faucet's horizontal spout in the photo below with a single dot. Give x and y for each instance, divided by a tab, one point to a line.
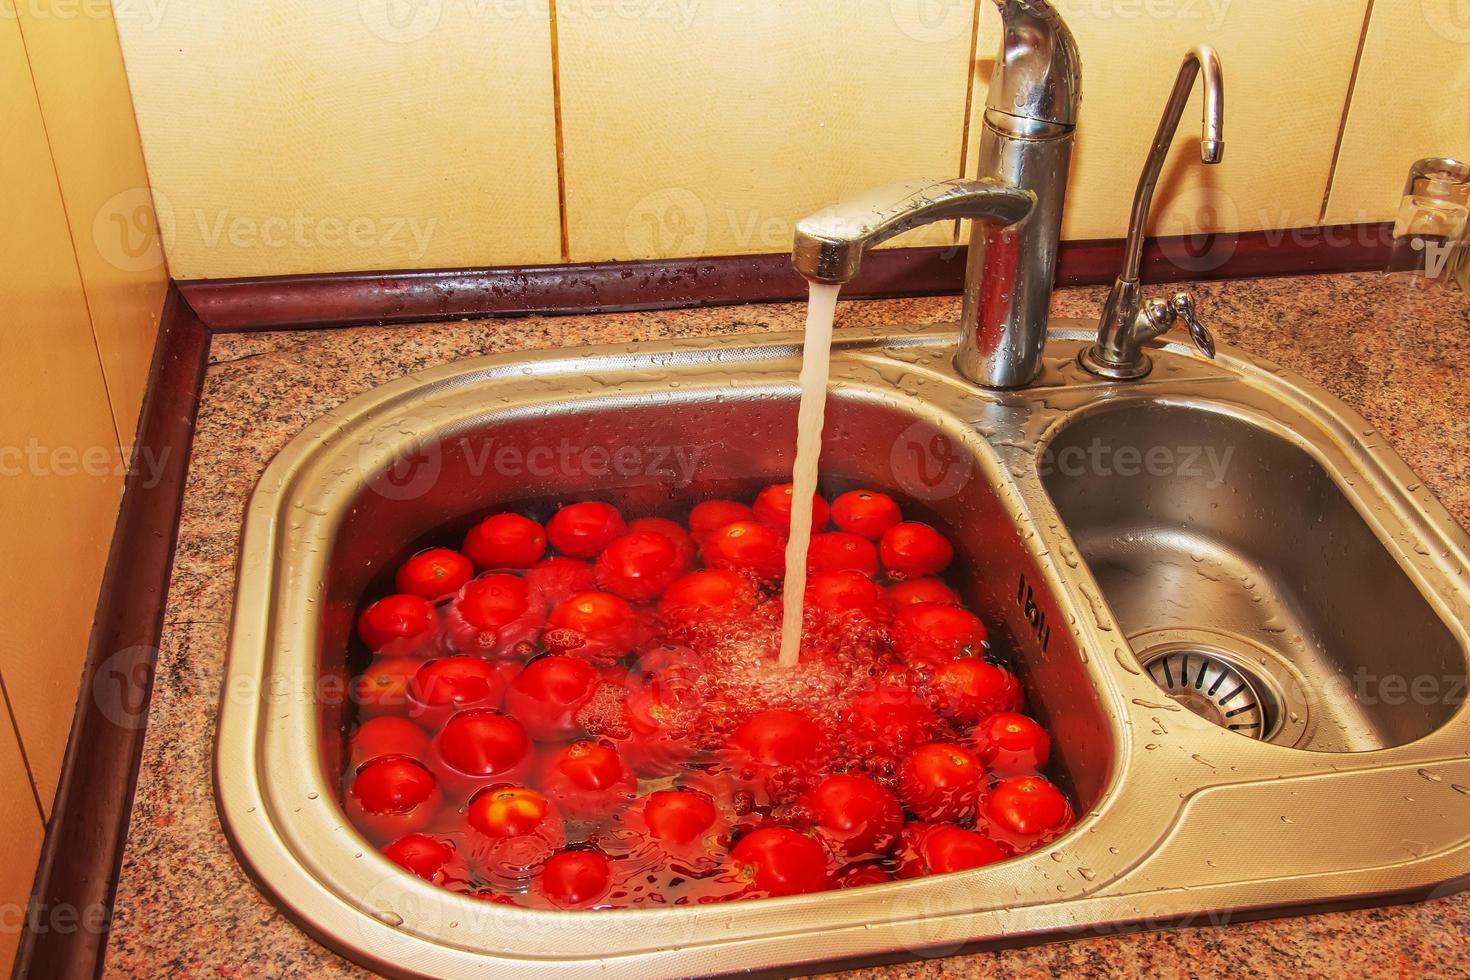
714	130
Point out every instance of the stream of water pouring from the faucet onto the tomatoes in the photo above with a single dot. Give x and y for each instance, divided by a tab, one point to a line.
817	364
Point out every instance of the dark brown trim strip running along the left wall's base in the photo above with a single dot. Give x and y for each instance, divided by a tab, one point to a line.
80	862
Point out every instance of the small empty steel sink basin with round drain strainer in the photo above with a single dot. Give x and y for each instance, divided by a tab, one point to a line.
1231	556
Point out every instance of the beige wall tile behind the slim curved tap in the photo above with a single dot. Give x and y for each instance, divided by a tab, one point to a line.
1287	71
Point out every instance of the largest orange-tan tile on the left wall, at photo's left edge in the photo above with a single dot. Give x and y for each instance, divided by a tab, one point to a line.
60	481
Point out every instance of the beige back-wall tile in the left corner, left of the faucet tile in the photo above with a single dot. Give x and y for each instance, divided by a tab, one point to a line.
348	134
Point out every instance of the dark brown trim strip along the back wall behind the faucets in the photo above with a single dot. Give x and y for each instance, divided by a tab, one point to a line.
443	295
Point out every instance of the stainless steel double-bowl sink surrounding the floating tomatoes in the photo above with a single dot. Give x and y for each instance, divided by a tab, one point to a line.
1308	565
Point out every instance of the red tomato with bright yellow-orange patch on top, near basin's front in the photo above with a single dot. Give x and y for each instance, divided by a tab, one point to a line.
512	832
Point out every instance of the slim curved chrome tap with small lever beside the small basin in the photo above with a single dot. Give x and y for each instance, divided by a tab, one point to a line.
1128	321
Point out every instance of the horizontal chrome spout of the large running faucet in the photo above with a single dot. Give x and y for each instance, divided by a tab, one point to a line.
830	245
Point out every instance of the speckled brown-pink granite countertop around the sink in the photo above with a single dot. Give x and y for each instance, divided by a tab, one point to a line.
1394	350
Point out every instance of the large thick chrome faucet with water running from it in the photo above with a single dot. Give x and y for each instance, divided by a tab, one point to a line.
1024	155
